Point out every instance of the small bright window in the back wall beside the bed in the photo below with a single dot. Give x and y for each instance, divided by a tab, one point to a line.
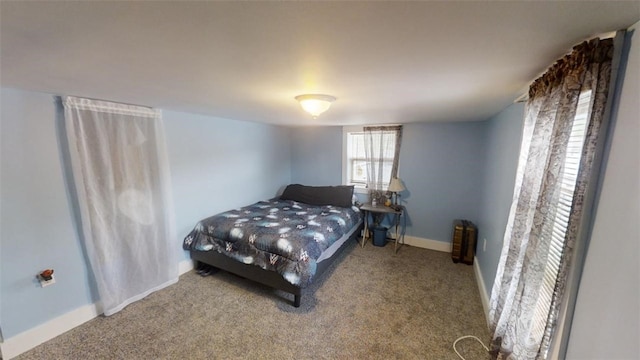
354	170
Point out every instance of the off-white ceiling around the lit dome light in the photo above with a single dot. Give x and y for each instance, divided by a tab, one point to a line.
386	62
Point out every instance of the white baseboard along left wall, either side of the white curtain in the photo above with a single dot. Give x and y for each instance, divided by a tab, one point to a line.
33	337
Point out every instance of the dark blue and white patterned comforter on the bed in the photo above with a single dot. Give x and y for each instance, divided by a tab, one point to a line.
279	235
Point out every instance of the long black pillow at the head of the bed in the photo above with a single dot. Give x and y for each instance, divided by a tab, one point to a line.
340	195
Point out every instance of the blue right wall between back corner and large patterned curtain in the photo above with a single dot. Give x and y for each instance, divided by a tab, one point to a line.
504	133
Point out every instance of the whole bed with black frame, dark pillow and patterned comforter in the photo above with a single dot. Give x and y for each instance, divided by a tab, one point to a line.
285	242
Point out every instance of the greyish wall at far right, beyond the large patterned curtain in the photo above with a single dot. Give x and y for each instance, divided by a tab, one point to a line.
606	323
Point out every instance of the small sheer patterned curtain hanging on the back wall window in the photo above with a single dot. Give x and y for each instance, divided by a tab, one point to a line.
382	153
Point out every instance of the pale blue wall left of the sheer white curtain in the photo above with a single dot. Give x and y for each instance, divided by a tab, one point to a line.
37	230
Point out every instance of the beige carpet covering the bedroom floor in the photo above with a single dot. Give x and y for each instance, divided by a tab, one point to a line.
371	304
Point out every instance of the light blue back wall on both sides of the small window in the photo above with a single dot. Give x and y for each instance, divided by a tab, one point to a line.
440	164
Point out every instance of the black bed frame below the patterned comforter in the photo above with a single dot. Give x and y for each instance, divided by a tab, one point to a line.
265	277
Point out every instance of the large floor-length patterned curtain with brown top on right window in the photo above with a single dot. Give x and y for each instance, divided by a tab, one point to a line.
515	305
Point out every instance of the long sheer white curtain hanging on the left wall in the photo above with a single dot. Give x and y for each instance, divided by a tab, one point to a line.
121	176
